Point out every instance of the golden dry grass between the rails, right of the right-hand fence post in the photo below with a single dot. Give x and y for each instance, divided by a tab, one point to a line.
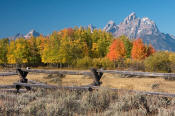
141	84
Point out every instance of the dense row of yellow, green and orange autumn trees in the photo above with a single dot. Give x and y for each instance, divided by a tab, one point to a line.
76	47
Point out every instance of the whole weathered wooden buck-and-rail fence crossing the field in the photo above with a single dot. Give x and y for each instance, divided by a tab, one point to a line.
96	74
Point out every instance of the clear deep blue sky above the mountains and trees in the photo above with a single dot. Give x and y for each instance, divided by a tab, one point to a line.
46	16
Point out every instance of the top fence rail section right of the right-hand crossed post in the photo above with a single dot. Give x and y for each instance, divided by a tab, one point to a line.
136	73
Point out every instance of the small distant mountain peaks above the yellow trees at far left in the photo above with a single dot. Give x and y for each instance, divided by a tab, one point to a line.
28	35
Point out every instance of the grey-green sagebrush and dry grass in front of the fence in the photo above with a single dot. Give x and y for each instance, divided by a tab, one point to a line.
102	102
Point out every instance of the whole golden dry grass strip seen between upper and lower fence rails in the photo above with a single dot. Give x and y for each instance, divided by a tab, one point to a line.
109	80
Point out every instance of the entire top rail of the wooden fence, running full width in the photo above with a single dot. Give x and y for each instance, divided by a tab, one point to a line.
88	73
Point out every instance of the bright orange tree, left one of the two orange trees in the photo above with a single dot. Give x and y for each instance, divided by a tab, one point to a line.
116	50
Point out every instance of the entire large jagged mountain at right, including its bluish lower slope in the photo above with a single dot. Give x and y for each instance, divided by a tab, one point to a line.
134	27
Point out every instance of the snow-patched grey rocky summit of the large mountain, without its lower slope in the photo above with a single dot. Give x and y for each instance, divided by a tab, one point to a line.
133	27
